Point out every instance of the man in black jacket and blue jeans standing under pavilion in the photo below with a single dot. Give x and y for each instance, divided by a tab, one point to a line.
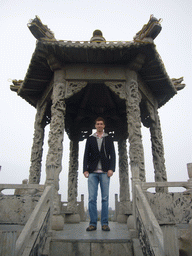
98	167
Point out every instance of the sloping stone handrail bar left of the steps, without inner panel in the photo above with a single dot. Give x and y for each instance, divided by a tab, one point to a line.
32	225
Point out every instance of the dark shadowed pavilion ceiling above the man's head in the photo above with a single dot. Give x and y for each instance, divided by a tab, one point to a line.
95	100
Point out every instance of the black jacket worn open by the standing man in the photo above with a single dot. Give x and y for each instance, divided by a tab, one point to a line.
92	154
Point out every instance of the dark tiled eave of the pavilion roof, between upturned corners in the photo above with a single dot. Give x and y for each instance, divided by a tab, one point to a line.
39	73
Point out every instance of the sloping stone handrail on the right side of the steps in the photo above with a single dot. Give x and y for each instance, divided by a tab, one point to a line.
147	223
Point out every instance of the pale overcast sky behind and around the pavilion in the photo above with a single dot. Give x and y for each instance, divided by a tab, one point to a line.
76	20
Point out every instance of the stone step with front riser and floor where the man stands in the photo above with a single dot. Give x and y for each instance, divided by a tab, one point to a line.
75	240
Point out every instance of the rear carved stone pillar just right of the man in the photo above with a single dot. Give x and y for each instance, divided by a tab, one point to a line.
124	206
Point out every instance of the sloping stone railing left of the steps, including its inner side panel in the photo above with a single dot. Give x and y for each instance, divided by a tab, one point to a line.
35	233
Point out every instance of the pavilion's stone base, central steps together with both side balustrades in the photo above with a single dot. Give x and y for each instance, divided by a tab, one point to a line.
36	237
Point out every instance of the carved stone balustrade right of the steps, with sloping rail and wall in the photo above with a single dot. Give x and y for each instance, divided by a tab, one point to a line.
157	216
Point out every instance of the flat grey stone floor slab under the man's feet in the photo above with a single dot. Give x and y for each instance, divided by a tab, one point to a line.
119	233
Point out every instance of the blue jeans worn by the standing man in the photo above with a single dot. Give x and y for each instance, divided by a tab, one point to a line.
93	182
